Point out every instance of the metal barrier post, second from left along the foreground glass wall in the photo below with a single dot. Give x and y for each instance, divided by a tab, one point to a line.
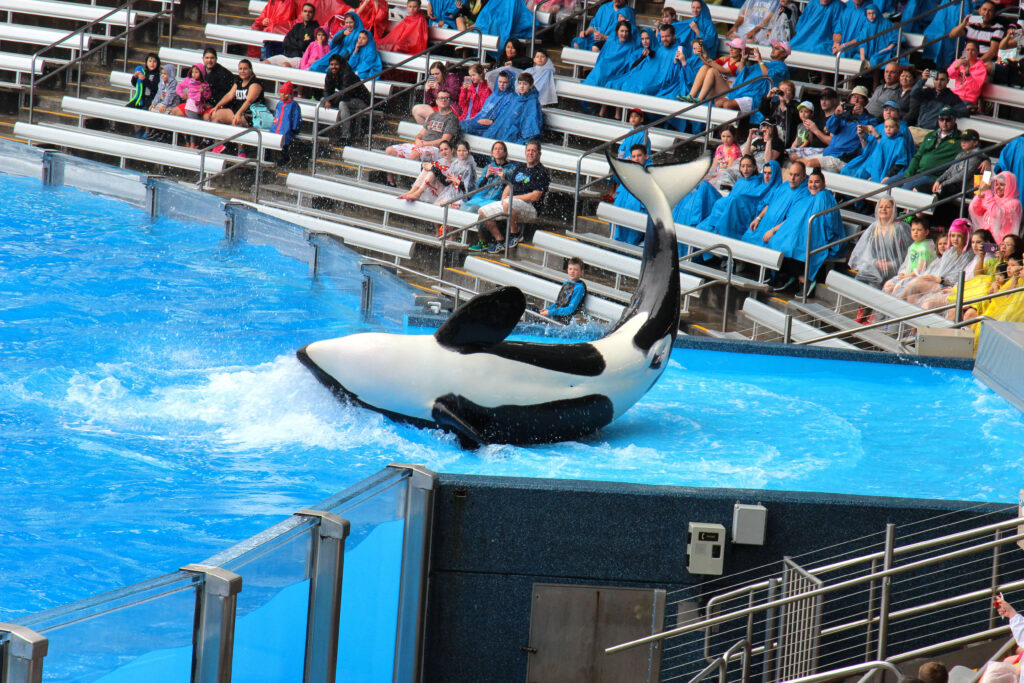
214	637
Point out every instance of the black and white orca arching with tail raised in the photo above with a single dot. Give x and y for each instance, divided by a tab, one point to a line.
468	379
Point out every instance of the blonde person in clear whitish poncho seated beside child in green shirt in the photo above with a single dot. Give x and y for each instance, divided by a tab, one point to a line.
882	248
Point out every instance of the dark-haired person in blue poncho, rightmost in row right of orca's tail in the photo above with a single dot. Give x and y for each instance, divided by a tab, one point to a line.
791	237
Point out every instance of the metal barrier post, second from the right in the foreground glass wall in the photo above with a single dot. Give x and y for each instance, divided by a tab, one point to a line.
327	567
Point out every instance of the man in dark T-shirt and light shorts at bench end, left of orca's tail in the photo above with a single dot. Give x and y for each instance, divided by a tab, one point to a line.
521	201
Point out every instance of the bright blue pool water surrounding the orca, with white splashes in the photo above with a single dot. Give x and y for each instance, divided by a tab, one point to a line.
153	413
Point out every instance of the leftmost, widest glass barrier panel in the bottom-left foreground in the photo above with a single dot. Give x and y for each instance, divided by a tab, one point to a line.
142	633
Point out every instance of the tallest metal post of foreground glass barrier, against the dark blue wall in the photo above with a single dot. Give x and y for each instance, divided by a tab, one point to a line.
415	569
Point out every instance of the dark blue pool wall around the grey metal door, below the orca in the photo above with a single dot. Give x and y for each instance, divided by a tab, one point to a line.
496	537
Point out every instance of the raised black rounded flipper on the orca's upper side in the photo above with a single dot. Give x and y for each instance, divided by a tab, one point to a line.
487	319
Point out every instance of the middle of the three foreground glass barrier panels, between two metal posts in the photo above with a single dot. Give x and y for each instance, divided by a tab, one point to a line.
271	622
